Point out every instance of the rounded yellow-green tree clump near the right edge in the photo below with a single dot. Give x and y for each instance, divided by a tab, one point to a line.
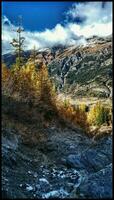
98	114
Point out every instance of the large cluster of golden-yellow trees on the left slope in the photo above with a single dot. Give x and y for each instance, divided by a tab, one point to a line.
29	83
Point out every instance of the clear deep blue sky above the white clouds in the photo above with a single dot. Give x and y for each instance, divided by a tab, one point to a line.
36	15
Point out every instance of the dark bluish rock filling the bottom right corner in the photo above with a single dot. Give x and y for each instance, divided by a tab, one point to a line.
97	185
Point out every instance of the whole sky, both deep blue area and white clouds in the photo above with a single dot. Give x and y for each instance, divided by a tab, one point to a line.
55	23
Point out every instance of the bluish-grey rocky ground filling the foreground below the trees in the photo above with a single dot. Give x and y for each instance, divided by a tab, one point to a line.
67	164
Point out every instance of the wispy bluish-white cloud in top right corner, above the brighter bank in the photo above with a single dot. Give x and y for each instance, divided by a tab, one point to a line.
93	12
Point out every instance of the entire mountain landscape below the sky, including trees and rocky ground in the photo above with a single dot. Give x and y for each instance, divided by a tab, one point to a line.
50	147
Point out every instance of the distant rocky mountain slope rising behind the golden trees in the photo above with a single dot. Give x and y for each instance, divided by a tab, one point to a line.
79	71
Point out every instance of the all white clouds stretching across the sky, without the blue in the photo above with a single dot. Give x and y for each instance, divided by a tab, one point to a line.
98	21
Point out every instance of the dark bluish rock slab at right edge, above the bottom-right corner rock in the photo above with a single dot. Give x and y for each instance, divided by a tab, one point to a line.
94	158
